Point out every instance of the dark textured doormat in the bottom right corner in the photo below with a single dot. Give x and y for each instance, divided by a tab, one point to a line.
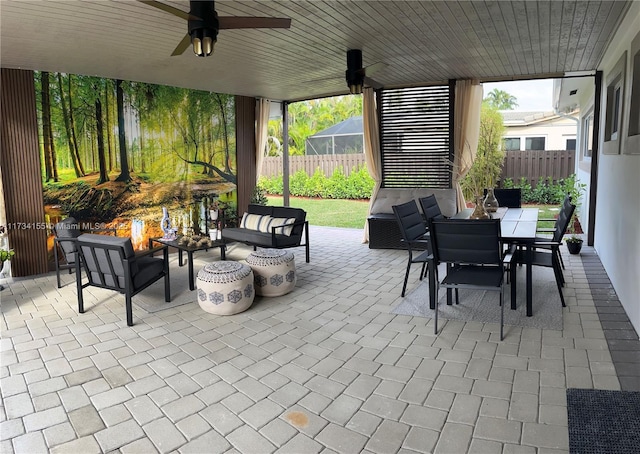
603	422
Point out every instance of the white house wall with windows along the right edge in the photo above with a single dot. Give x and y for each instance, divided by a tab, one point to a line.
617	232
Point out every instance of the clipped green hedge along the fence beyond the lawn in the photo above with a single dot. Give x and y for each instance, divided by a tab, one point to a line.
358	185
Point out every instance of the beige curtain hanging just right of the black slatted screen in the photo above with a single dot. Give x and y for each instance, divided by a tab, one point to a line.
467	130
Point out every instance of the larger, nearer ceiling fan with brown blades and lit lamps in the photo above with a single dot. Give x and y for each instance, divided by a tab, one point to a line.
204	24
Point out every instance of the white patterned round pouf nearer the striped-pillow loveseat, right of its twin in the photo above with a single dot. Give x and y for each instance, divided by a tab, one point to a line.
274	271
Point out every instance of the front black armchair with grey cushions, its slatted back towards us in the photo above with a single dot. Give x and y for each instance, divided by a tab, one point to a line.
111	263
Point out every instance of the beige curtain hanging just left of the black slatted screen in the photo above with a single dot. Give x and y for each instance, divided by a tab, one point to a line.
371	146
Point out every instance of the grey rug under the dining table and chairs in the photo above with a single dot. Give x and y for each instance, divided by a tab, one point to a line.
482	306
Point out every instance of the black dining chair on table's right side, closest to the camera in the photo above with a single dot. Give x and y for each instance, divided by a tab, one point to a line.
546	252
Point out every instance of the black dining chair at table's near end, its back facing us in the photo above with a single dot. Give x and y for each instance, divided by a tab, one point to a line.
472	252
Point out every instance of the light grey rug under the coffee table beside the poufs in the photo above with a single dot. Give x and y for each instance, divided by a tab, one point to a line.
152	300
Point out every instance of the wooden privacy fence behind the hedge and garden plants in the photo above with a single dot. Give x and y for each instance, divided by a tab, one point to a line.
531	165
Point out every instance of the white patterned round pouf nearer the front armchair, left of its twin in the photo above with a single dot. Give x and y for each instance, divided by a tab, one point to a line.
225	287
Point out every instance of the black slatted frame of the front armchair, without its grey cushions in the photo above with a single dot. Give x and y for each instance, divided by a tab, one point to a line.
127	289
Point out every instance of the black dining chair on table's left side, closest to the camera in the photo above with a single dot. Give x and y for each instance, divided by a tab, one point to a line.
414	237
